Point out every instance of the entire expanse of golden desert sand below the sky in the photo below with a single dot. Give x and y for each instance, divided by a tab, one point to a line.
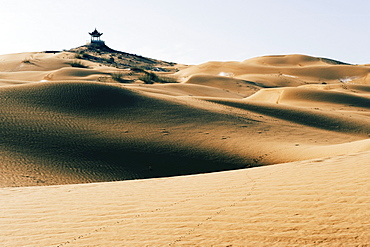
271	151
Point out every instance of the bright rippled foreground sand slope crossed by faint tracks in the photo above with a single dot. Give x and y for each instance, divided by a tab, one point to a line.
321	202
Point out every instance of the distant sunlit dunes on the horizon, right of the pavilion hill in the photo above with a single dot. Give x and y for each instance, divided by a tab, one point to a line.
273	71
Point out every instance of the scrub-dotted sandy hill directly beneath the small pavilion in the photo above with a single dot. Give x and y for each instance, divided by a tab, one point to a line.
92	62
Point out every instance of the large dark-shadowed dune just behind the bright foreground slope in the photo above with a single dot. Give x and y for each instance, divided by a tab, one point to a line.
73	132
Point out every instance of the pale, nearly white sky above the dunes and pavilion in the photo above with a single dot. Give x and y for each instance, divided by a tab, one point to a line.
192	31
